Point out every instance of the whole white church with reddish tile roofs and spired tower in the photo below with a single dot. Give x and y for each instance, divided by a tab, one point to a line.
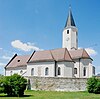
68	61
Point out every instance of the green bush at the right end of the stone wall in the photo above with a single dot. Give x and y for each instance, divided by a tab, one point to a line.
93	85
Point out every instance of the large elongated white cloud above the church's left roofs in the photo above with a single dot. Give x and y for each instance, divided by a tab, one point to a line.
24	46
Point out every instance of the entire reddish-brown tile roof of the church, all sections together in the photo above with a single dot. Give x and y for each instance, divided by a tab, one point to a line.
61	54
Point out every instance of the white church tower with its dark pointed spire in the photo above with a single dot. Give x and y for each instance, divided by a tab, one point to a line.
70	36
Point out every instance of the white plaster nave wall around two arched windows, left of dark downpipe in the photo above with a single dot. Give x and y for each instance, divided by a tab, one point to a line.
39	69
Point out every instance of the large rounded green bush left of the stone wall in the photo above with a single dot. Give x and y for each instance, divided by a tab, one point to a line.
14	85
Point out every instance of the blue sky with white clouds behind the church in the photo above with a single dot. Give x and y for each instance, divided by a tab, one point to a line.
28	25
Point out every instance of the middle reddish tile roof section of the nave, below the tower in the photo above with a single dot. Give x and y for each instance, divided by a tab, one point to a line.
61	54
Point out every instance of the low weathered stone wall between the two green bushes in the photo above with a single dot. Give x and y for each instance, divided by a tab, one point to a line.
57	84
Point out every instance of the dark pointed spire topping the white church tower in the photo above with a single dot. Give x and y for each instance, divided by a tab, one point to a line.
70	20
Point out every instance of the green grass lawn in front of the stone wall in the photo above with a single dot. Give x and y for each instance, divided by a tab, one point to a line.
54	95
